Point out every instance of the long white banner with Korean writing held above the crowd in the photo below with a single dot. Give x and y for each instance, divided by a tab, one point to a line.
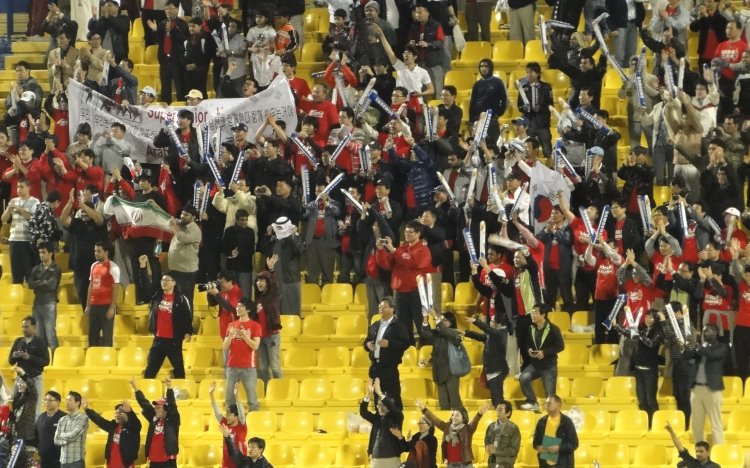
143	124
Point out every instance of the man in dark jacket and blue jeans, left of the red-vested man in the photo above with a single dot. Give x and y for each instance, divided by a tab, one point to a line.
44	281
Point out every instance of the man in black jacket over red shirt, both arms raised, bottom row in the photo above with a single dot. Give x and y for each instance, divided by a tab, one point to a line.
162	440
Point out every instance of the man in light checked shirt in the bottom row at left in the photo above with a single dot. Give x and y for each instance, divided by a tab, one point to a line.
71	433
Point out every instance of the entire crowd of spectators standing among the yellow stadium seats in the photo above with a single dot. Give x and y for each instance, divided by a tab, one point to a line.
381	180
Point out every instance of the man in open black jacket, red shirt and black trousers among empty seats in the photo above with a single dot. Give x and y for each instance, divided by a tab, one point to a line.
171	321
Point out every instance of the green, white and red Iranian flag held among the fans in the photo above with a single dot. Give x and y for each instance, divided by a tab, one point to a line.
139	219
